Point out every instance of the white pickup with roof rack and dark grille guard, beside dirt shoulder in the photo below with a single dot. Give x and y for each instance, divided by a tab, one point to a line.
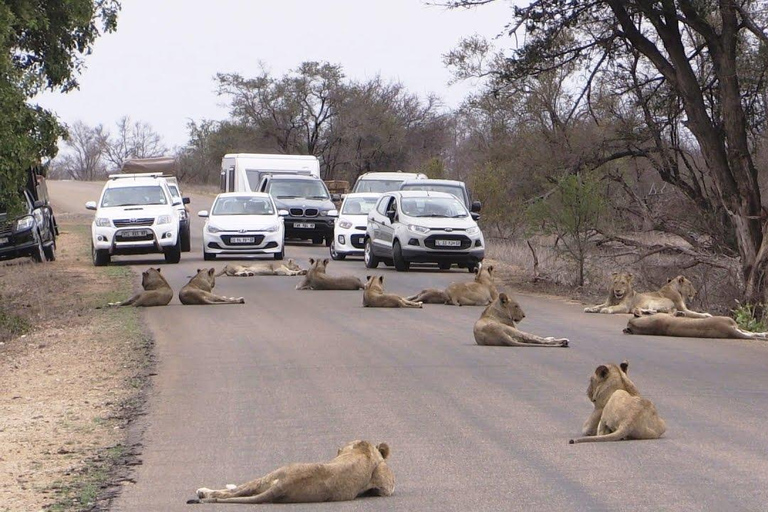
136	214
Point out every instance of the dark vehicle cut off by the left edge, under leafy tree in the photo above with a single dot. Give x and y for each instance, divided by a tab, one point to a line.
33	232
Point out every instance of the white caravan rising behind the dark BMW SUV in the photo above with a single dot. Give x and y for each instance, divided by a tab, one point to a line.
243	172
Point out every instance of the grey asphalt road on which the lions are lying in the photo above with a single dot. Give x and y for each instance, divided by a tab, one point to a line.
292	375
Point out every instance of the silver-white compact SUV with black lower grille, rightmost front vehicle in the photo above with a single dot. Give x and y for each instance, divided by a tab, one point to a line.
422	227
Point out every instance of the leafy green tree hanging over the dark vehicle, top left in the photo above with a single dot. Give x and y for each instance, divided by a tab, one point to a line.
42	47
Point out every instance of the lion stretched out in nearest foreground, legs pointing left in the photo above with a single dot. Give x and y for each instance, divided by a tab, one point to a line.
359	468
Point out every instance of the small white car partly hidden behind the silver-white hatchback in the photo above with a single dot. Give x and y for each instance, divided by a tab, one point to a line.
349	230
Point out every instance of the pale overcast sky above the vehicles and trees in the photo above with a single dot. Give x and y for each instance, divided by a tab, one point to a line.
159	65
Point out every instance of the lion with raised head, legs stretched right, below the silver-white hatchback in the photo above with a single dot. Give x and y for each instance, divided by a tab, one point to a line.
497	326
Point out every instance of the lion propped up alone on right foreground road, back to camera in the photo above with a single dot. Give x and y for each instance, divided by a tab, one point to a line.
620	412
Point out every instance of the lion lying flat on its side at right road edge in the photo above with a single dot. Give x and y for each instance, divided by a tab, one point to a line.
668	325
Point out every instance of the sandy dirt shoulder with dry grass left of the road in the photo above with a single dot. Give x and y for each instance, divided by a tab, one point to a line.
71	378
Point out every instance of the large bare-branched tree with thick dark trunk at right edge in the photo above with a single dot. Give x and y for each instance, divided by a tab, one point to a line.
707	58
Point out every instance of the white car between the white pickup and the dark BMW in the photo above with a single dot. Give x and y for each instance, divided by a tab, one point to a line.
243	223
